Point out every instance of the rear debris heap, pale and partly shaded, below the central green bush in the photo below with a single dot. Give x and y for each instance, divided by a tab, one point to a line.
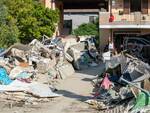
84	54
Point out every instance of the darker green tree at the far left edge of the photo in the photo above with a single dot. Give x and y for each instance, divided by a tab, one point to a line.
8	30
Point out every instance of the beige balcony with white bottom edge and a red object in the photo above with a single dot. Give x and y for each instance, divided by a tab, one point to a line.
133	20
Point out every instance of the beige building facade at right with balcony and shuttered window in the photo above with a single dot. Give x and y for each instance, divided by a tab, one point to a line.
130	18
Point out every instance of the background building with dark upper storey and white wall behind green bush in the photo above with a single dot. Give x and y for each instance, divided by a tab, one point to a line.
77	12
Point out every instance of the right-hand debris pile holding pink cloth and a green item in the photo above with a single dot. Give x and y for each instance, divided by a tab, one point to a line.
124	86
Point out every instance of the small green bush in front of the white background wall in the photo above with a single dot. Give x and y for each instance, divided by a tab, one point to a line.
87	29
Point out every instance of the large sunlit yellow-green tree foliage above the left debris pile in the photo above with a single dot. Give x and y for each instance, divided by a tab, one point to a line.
29	20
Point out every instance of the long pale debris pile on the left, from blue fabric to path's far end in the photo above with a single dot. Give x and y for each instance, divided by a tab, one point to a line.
28	73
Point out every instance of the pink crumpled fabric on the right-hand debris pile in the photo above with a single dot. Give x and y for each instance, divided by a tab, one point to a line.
106	83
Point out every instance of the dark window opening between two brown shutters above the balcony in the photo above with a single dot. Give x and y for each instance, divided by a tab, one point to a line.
135	6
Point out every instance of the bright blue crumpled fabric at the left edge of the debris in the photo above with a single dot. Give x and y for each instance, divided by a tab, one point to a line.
4	78
